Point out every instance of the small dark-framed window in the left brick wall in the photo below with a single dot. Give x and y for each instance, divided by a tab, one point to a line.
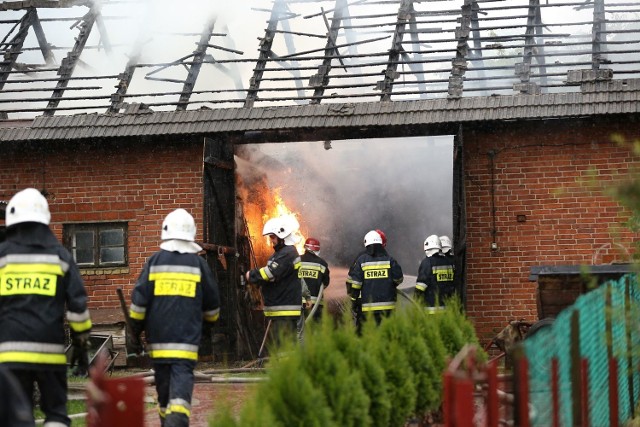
97	245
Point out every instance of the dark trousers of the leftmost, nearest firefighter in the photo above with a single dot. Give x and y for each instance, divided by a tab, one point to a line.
52	385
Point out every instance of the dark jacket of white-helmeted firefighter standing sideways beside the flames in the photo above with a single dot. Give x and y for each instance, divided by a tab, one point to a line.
279	283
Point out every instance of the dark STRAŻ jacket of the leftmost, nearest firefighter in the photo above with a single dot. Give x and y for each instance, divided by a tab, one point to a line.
38	278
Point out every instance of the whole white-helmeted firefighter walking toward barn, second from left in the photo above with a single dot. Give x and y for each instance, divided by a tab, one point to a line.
175	293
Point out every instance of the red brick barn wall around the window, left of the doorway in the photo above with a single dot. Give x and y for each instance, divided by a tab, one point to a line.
135	182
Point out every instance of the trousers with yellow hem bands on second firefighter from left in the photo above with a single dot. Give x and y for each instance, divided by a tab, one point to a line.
174	384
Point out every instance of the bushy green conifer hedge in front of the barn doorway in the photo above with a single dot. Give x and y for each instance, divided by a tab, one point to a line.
382	377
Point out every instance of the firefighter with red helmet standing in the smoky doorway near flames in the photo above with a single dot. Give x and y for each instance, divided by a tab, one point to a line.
315	272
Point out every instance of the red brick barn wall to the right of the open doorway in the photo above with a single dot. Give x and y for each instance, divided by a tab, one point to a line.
540	171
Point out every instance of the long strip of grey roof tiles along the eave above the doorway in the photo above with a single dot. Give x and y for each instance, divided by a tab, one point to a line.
432	111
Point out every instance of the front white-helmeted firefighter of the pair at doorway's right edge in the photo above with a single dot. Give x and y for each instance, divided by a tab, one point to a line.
434	284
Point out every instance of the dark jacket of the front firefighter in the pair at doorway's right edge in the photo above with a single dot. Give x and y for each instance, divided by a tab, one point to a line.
435	280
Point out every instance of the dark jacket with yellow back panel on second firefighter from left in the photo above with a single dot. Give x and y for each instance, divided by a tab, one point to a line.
173	295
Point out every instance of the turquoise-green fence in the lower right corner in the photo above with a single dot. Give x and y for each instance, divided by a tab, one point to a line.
602	325
